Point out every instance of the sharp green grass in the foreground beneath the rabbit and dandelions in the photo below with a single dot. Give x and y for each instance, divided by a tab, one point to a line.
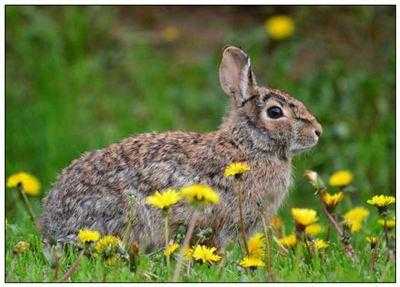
330	266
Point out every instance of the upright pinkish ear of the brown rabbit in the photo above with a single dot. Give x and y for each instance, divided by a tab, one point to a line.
236	76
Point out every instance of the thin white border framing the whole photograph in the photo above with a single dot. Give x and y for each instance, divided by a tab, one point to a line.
199	2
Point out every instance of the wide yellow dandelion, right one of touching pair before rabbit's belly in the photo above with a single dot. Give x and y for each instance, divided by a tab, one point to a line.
200	193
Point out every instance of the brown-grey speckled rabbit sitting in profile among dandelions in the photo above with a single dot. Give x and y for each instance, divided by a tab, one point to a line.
106	189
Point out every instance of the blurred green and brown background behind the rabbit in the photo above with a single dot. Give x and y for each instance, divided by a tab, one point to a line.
80	78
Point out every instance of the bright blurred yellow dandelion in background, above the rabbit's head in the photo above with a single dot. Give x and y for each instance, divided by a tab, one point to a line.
279	27
